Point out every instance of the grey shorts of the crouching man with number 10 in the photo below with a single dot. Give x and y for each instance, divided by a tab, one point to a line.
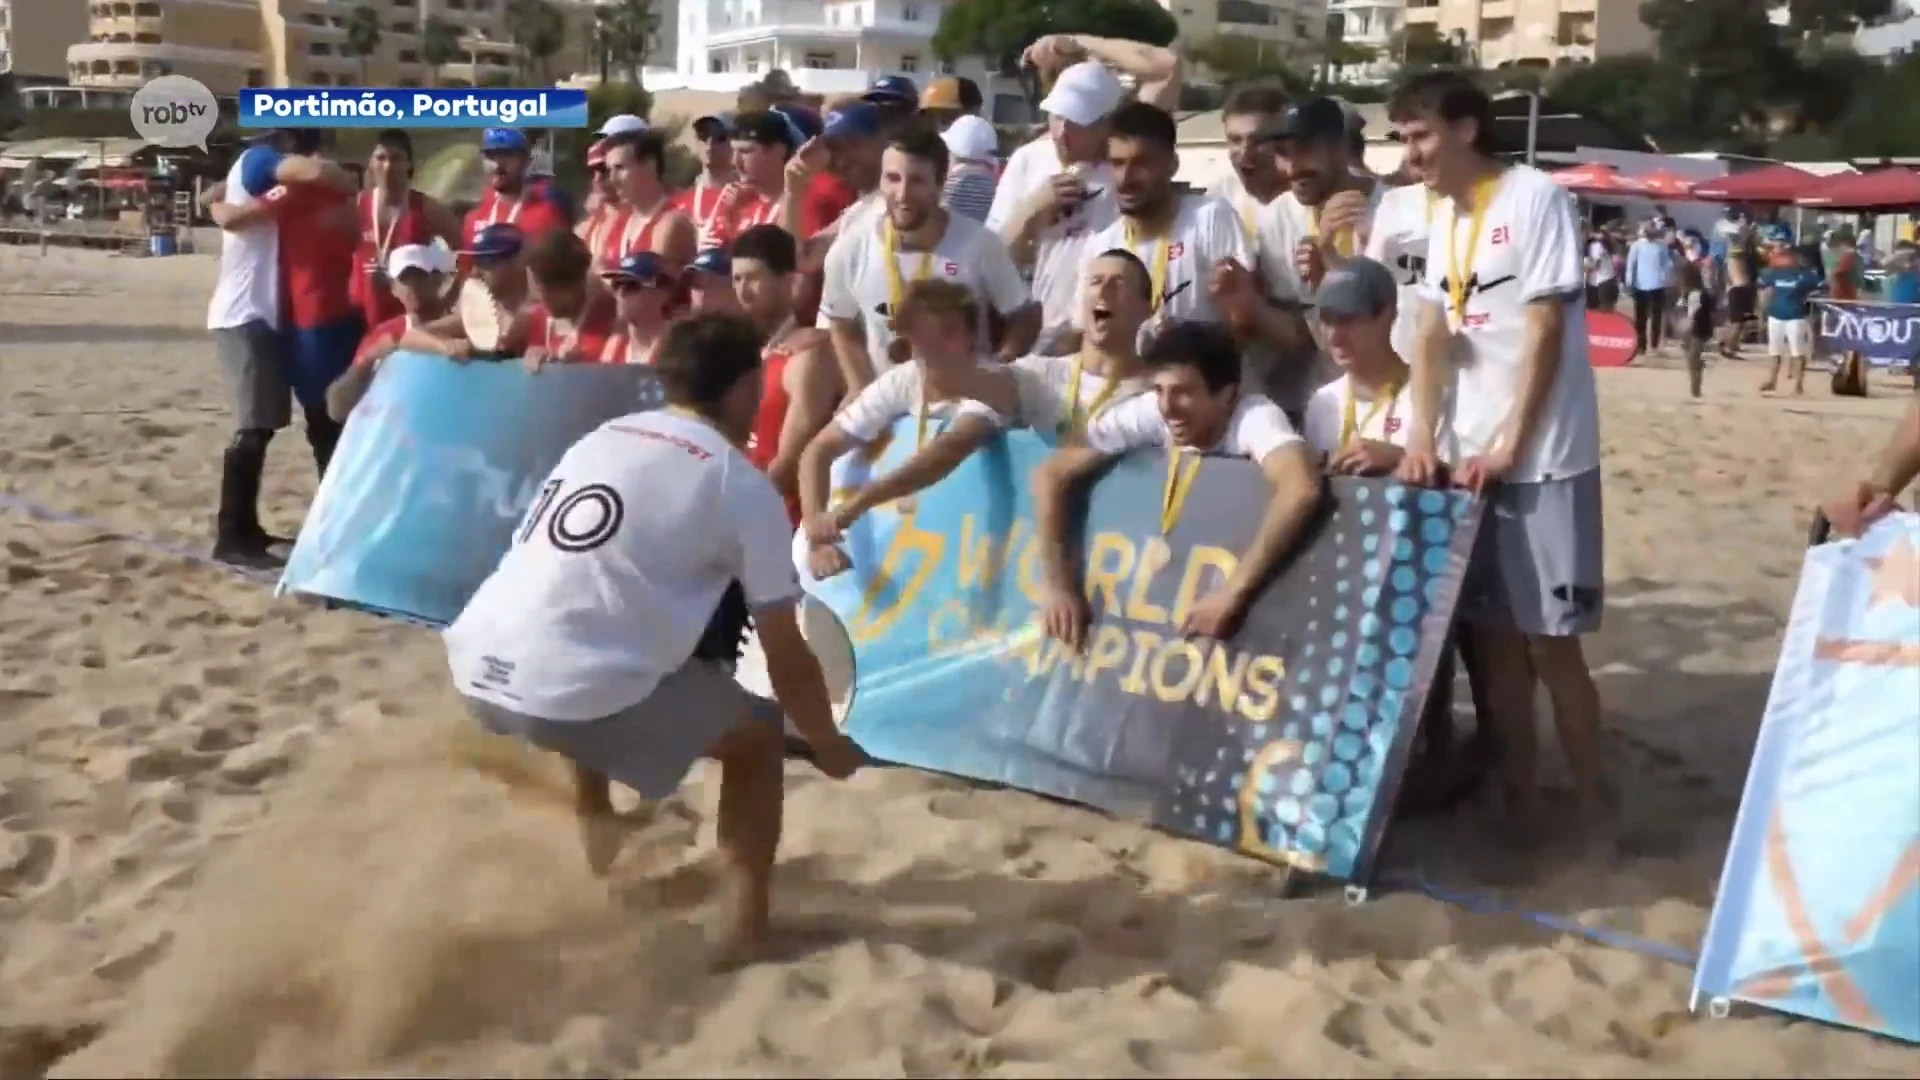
654	745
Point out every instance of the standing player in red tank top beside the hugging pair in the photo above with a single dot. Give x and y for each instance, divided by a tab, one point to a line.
393	216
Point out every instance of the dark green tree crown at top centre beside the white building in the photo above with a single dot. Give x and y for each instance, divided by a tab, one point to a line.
1003	30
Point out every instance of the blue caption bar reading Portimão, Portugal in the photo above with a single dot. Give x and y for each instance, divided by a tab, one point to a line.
362	107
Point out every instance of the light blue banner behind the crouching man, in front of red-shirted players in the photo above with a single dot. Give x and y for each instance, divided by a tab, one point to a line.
435	472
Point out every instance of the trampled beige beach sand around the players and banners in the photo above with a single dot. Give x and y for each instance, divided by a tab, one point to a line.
251	837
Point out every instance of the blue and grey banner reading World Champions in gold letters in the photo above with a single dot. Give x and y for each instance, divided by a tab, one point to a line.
1285	743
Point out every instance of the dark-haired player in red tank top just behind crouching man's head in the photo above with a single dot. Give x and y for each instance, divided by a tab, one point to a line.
802	381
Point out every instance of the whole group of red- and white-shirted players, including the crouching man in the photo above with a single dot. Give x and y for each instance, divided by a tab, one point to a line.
815	289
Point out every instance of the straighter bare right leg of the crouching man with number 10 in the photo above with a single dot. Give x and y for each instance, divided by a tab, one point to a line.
752	798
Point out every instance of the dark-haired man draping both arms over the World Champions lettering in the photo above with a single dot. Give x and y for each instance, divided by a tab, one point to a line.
1197	410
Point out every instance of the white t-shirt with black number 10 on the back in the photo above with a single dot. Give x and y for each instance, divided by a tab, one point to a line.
619	568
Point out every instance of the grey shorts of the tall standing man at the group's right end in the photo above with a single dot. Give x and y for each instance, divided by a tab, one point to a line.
1541	560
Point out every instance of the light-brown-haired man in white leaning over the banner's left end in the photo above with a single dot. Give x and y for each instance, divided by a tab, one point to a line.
946	387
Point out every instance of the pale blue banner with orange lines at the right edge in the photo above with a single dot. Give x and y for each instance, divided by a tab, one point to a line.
1819	906
